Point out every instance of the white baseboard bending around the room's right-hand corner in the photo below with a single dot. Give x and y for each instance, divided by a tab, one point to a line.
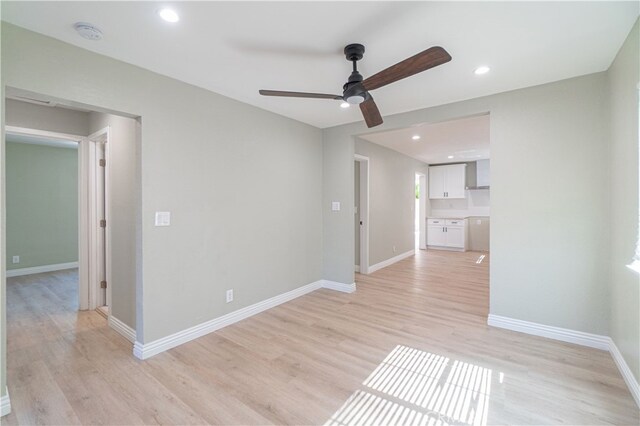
572	336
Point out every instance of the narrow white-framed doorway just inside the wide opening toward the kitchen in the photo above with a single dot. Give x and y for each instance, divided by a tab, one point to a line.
361	214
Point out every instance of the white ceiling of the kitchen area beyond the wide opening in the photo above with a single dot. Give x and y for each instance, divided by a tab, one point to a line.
465	139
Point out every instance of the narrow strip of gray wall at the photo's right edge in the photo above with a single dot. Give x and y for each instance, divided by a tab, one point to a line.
623	79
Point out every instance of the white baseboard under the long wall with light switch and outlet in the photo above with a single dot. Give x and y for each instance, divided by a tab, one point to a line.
147	350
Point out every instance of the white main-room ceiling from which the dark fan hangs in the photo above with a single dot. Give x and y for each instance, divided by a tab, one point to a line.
236	48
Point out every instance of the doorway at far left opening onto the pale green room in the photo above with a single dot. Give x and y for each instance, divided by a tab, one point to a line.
42	217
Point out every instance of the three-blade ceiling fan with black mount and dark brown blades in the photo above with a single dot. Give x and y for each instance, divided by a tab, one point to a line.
356	89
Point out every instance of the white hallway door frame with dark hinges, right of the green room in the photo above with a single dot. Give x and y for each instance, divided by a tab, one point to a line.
96	253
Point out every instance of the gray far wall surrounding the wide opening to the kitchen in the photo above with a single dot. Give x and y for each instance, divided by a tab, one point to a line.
552	207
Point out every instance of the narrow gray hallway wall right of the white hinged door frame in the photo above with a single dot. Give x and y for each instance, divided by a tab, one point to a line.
124	206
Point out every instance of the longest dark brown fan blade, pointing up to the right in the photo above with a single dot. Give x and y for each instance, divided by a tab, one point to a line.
430	58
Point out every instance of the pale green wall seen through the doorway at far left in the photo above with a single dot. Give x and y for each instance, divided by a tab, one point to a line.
42	204
